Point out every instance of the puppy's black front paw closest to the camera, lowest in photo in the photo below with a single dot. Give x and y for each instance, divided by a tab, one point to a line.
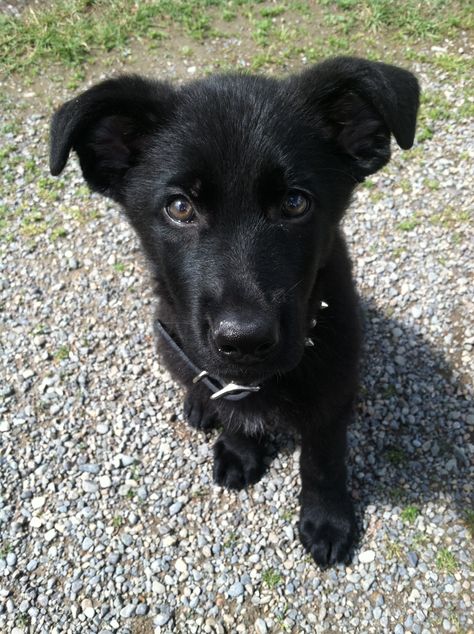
328	531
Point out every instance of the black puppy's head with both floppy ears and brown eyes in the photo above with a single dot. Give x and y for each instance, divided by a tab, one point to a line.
235	185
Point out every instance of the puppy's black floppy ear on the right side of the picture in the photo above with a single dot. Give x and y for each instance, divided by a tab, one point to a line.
358	104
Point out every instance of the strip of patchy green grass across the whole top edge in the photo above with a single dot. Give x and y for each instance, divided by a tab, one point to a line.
74	33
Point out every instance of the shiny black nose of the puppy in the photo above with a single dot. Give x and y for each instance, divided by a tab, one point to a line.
245	339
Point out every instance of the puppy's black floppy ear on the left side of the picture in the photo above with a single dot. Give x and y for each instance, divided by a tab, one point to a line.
108	126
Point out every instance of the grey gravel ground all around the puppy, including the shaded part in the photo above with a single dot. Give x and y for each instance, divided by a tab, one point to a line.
109	520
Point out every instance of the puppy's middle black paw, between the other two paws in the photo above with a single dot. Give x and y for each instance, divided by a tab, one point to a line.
238	461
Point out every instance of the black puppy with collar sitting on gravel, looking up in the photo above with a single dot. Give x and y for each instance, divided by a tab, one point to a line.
236	185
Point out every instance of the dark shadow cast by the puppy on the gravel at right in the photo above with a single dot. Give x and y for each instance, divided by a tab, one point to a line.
409	439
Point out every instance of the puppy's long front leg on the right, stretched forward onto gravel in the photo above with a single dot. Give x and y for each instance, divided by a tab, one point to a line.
327	522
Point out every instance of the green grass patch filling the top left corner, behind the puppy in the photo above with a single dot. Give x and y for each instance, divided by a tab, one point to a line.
71	32
